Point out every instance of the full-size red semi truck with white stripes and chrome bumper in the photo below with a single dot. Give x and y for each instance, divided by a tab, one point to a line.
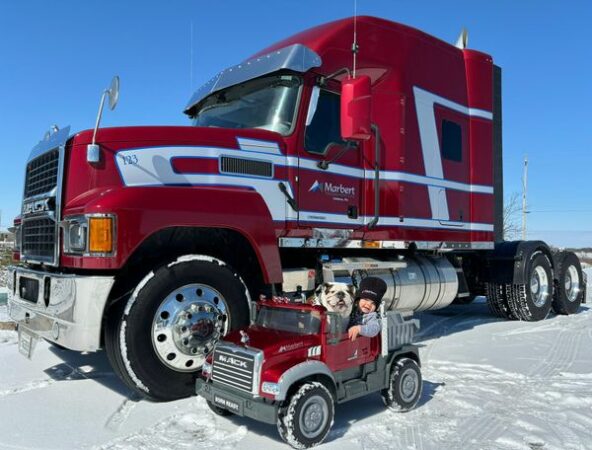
152	242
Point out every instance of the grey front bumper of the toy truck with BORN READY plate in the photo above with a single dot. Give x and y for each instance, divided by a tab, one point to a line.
237	403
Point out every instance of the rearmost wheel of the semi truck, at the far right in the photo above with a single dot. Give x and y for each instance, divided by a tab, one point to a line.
569	282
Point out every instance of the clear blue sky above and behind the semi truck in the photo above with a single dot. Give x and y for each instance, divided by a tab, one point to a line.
57	57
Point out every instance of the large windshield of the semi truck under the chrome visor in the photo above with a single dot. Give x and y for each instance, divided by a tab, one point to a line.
268	103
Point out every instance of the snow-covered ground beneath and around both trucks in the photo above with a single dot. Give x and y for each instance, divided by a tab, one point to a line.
488	383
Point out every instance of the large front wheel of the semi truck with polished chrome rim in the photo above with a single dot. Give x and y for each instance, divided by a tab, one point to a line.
135	352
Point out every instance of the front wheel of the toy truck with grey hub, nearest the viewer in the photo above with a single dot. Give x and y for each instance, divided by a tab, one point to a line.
308	416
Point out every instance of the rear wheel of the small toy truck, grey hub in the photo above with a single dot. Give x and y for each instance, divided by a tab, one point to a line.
405	386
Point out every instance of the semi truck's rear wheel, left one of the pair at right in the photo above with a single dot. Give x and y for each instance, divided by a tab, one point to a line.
532	301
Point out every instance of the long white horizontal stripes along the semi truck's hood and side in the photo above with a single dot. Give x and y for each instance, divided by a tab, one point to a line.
152	166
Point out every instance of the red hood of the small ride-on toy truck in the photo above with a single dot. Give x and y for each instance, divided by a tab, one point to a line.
274	342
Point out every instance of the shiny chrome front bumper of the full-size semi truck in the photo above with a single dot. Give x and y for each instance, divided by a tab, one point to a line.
66	309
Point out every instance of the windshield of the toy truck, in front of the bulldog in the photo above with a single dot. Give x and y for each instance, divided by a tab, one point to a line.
300	321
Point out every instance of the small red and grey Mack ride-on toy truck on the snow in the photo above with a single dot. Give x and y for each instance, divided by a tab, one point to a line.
294	362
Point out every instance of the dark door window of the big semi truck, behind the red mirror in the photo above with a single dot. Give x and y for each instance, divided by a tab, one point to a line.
325	126
